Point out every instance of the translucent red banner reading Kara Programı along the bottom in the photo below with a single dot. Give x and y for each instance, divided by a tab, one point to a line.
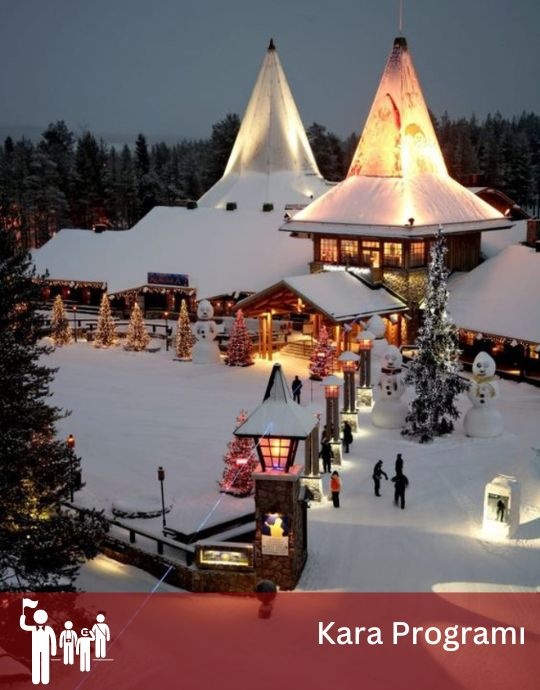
296	640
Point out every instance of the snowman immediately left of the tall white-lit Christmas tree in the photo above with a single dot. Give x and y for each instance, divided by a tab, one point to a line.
389	411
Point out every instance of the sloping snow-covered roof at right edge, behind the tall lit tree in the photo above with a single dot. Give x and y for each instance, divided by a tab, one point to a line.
500	296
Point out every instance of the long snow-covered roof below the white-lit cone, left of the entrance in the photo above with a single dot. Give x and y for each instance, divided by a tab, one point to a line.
221	251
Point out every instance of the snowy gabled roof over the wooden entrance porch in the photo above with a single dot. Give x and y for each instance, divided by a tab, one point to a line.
337	294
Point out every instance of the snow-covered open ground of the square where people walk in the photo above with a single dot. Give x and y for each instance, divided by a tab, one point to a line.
132	412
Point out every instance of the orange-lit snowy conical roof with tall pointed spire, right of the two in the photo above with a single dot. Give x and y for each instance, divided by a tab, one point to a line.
397	183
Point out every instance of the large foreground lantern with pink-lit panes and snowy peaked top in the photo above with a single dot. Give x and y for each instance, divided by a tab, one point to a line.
277	425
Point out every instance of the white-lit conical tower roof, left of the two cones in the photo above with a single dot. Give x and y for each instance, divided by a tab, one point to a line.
271	161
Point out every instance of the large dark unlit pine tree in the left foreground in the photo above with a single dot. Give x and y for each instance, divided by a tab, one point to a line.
42	544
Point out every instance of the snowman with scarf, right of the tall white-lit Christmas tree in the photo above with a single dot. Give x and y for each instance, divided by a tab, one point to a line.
482	419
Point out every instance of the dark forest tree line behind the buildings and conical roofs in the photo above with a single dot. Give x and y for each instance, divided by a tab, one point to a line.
69	181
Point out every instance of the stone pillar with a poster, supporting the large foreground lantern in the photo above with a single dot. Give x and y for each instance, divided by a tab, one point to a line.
281	526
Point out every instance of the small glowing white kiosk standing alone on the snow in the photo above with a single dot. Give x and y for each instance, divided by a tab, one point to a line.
501	506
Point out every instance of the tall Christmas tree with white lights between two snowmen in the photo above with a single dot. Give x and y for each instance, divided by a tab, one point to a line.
434	372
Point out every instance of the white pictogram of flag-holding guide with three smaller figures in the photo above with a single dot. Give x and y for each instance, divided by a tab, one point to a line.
44	642
